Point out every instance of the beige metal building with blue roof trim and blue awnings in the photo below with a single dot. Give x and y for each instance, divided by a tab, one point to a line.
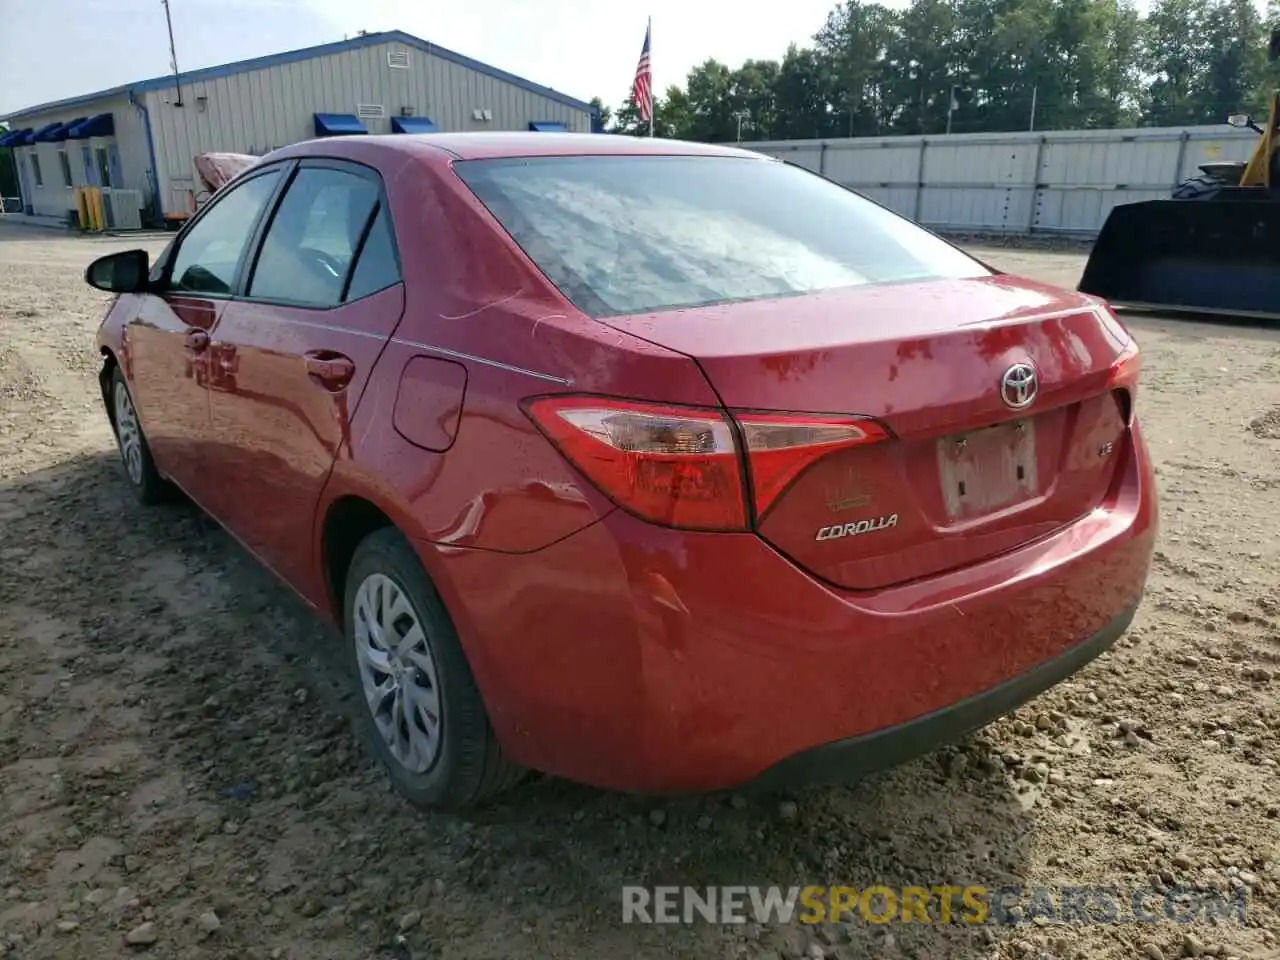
139	141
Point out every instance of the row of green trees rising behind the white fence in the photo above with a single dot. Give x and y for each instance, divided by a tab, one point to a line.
875	71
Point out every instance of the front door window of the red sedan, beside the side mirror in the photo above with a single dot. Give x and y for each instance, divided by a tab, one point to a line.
212	250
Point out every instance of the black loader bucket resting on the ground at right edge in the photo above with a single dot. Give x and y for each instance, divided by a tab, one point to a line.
1213	257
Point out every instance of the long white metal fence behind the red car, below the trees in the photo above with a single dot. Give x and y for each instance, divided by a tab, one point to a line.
1055	182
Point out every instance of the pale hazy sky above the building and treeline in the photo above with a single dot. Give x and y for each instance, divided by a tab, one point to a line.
54	49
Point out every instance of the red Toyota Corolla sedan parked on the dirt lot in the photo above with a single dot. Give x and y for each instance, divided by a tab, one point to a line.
651	465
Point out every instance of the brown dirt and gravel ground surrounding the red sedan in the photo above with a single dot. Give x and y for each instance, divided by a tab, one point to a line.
180	779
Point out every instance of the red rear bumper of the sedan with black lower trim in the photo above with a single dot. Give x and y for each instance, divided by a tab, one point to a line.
638	659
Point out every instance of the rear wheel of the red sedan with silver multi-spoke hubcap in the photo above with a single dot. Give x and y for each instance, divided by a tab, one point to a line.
420	711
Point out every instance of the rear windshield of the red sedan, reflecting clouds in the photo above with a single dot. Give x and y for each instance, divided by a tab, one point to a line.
636	235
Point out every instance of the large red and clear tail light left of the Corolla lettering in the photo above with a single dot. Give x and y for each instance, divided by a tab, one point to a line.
691	468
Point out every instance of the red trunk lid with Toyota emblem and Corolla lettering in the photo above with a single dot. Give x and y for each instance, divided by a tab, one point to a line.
964	476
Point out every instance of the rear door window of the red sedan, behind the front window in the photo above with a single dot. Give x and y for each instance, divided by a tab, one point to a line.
312	243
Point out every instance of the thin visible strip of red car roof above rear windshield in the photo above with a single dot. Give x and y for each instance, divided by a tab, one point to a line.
486	145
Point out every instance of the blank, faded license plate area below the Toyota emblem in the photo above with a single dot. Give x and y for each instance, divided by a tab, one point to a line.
986	470
